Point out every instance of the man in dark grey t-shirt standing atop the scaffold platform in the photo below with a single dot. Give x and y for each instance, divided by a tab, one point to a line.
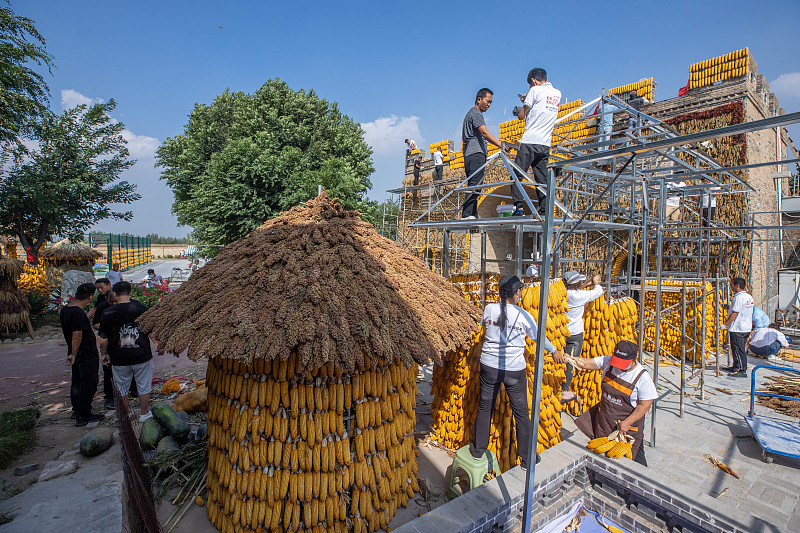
474	135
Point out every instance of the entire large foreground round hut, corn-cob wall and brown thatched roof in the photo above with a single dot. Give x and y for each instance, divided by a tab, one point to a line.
313	325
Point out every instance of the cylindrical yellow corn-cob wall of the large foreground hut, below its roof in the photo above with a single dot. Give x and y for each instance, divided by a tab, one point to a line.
316	452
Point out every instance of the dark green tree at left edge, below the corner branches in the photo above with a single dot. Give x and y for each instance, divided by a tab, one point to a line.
70	181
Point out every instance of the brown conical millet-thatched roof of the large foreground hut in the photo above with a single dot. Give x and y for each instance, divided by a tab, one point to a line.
319	281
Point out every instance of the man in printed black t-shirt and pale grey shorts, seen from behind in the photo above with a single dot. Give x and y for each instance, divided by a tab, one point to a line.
126	348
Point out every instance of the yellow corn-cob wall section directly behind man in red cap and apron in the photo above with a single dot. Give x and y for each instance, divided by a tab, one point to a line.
604	325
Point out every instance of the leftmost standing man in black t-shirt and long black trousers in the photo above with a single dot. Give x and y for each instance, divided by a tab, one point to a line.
81	354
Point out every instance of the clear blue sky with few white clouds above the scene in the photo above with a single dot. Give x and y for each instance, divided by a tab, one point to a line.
401	69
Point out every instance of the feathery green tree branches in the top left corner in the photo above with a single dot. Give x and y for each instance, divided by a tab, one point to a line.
23	91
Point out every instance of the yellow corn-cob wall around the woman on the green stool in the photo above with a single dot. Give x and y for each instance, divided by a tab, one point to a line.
456	387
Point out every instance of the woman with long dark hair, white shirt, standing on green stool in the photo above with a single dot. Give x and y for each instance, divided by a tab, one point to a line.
503	362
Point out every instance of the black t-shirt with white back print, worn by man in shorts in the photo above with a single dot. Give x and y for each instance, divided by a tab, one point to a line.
126	344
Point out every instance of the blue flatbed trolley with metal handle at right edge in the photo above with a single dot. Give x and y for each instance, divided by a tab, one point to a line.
774	435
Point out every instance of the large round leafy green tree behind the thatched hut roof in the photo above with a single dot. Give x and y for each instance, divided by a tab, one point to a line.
247	157
